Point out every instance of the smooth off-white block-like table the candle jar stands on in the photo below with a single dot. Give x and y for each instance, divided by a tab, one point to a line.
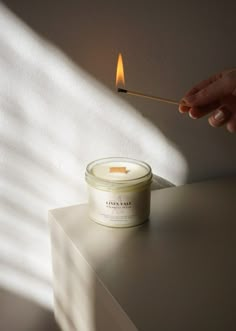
175	272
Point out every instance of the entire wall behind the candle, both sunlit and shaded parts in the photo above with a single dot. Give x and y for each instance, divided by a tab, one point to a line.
55	118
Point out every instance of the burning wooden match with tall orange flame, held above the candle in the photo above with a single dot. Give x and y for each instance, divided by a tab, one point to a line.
120	80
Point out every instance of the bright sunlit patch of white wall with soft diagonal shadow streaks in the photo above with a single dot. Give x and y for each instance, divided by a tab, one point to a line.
55	119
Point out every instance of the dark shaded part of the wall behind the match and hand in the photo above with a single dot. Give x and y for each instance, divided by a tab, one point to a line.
167	47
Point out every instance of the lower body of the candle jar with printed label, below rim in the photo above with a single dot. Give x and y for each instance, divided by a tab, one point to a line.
119	208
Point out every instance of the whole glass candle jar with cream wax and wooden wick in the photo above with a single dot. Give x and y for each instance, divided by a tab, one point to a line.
119	191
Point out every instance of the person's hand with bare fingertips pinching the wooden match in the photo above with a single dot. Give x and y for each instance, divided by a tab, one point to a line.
216	95
